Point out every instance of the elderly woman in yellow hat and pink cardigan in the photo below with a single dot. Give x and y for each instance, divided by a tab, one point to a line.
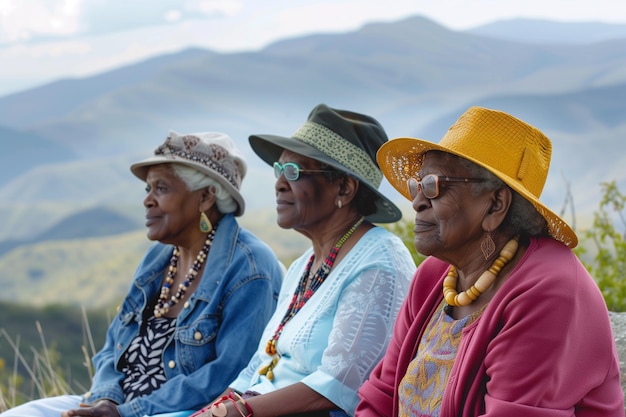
502	319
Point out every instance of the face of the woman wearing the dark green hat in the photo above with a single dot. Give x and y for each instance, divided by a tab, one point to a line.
306	203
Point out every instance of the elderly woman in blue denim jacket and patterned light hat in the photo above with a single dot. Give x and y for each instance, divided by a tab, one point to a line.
200	297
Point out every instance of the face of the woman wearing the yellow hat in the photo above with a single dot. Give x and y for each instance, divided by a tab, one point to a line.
450	225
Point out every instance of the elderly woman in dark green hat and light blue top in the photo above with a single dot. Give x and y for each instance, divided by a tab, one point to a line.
340	298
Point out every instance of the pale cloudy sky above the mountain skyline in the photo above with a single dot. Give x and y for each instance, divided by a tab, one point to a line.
44	40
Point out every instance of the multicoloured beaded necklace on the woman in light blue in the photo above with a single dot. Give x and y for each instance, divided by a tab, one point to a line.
305	290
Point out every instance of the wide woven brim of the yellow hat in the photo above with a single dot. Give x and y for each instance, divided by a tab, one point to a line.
402	158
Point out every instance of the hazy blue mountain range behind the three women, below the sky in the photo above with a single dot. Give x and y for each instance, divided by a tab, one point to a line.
68	144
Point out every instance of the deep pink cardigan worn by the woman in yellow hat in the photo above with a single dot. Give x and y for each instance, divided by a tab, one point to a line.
542	347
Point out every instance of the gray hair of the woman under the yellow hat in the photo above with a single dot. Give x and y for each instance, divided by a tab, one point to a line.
522	218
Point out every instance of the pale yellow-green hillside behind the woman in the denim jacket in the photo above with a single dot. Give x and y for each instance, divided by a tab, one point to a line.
96	272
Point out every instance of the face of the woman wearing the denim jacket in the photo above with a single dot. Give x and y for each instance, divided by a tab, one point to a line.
172	212
